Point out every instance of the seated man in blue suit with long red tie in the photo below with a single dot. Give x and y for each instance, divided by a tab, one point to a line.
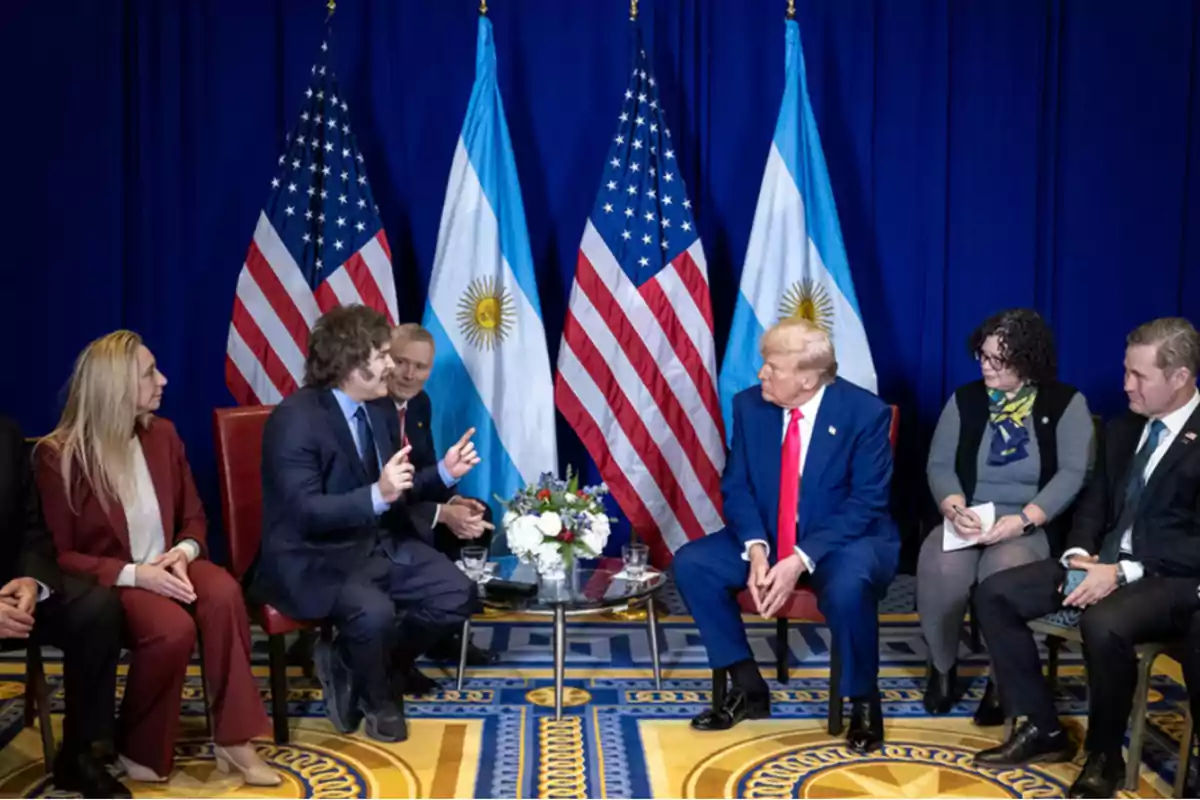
806	491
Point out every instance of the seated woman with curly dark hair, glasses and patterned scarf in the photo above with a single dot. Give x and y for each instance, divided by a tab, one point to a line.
1019	440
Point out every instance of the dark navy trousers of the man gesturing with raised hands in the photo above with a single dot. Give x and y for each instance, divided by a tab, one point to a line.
419	582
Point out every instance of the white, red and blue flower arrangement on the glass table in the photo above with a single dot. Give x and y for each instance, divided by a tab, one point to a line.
554	522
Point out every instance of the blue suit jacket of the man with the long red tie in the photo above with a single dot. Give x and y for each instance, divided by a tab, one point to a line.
847	480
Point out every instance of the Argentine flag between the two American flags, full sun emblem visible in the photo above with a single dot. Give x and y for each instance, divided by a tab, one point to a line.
491	369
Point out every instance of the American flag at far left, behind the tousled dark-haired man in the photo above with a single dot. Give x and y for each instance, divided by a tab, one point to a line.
319	244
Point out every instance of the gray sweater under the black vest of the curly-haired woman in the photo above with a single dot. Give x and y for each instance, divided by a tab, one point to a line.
1016	485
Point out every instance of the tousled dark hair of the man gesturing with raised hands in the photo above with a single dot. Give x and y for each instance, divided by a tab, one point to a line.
341	341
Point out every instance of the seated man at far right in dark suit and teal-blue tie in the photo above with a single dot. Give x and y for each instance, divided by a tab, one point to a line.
1129	575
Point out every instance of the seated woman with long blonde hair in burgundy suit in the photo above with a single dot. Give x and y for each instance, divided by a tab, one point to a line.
123	509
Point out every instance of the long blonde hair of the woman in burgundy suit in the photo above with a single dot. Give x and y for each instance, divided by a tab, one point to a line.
101	418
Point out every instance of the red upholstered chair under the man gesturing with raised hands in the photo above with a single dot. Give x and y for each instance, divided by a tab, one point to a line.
239	448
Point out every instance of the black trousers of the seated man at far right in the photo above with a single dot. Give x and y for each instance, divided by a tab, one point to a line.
1151	610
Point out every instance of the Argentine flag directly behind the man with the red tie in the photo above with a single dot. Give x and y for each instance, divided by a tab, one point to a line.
796	263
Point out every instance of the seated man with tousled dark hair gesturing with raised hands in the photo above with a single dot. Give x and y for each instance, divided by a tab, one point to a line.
333	545
